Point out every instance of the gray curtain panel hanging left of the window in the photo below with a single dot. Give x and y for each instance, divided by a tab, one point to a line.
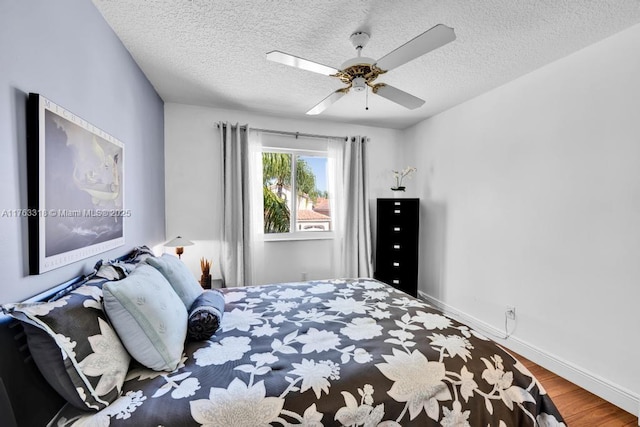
234	262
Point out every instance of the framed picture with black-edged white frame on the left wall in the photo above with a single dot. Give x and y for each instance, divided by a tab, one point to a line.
75	187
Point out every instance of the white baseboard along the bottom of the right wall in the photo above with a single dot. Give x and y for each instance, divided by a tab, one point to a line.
597	385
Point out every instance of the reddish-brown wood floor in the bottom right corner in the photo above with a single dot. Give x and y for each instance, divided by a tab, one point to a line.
579	407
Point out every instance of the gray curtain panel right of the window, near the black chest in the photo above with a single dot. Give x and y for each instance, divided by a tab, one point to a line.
356	250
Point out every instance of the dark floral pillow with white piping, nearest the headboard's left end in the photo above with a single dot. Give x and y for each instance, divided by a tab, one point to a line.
75	348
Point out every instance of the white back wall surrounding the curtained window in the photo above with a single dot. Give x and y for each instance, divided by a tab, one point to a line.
193	185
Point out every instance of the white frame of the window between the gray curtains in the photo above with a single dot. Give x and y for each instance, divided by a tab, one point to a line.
293	233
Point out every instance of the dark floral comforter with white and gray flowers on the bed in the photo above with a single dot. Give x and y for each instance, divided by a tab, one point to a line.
324	353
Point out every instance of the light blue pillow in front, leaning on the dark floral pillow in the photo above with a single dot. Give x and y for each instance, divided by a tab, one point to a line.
148	316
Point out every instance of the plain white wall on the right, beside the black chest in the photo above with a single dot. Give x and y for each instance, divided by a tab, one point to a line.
531	198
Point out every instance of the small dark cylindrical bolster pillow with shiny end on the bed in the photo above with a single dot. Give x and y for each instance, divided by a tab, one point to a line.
205	315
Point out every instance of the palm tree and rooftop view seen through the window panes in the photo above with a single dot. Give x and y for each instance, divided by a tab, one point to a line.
305	176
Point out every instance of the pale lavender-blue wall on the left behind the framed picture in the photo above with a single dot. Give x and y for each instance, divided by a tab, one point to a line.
66	52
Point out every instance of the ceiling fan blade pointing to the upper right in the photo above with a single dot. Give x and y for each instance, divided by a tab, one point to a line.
426	42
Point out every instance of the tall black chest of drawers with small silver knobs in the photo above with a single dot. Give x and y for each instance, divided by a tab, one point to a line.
397	243
